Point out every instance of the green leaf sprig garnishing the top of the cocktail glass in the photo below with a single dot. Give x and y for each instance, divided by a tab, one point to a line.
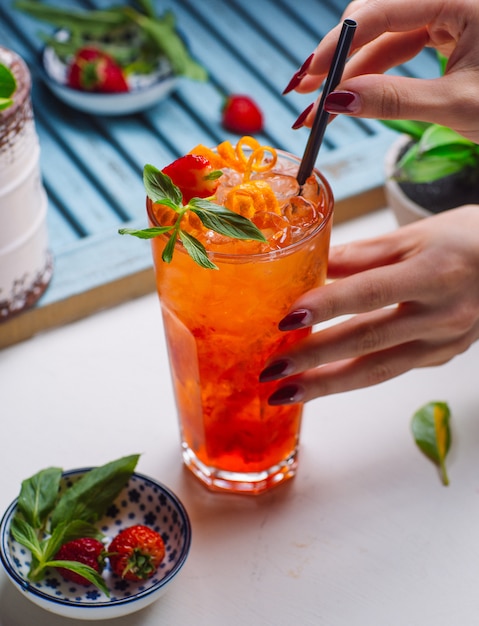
161	189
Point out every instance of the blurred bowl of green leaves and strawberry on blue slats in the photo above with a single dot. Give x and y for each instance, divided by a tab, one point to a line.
114	61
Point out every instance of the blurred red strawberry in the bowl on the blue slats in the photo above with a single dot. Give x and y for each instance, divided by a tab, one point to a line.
94	70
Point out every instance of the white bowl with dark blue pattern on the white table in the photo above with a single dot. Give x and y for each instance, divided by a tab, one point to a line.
142	501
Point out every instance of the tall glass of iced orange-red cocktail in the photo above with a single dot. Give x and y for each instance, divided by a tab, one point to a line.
222	325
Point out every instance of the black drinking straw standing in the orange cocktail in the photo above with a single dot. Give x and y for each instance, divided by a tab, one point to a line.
321	120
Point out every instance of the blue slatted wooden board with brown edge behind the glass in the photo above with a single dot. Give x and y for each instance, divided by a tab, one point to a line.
92	165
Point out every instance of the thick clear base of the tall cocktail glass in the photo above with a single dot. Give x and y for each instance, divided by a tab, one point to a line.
248	483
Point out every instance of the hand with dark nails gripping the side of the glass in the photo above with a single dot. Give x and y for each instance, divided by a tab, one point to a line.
413	300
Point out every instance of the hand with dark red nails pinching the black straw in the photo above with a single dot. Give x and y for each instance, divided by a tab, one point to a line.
389	33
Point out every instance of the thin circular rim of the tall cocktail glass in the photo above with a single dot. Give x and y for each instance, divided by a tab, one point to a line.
271	254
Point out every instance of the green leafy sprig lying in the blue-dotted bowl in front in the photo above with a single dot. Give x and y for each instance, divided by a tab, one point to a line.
45	520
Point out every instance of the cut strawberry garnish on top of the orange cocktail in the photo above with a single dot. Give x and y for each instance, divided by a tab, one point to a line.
194	175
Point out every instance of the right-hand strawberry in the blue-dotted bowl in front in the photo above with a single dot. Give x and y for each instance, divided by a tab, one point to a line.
136	552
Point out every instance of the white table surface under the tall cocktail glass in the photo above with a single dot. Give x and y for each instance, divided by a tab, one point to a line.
365	535
